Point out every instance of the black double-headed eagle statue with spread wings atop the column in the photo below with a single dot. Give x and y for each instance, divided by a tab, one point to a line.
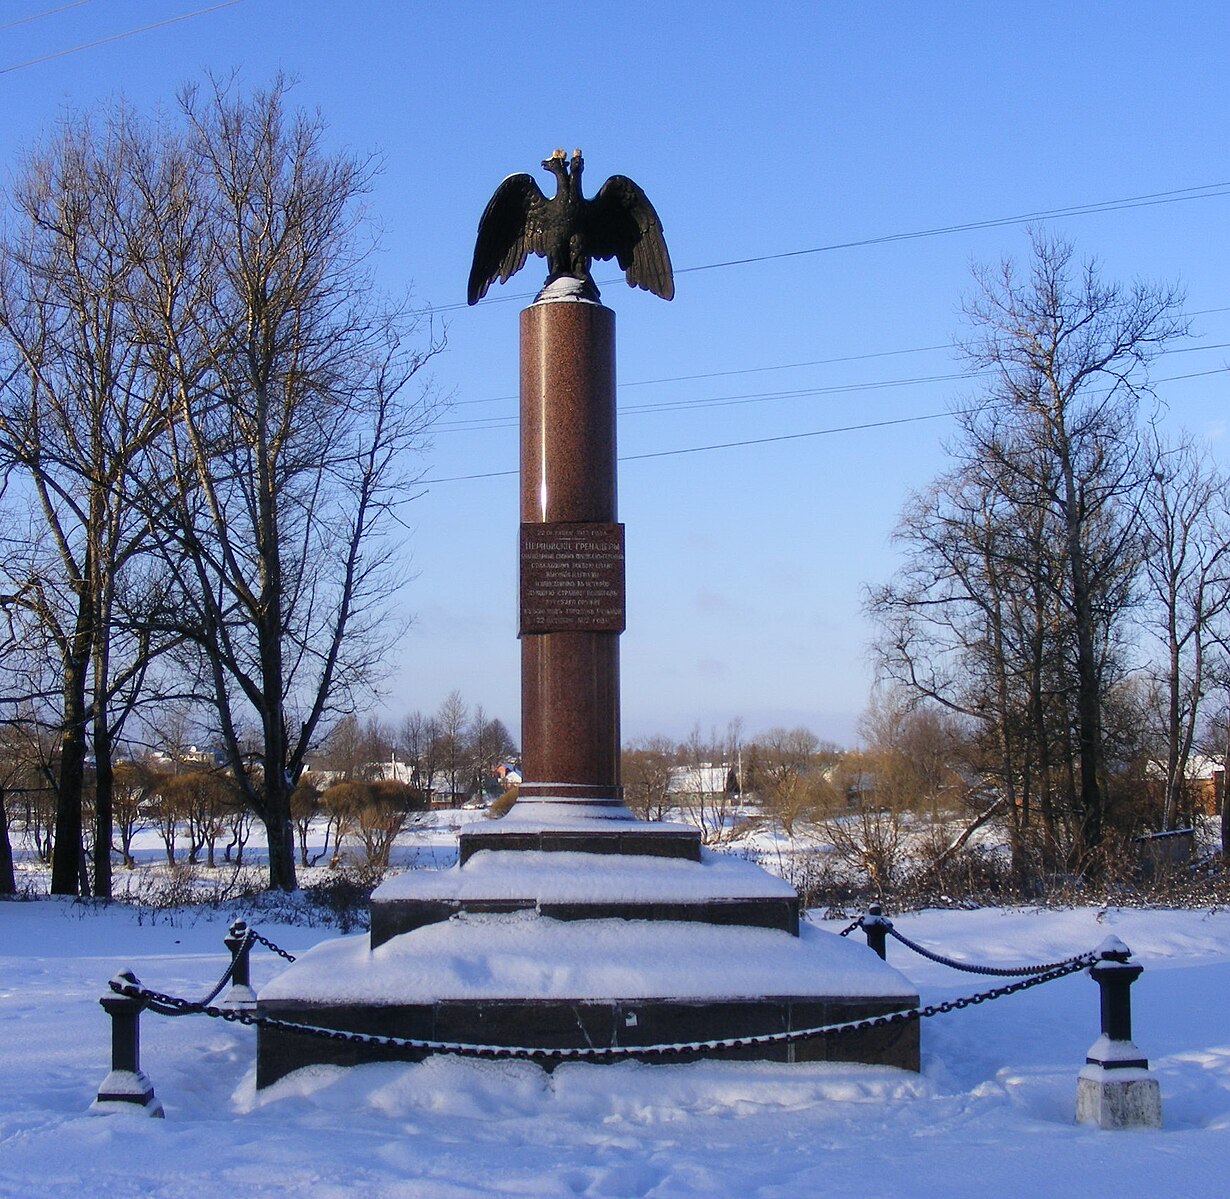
570	232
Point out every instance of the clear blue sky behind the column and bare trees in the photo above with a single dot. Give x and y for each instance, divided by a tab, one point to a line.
757	131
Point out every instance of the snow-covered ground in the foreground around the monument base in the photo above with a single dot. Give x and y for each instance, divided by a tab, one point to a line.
992	1112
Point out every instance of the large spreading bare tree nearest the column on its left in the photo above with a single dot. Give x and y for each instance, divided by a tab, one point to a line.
292	417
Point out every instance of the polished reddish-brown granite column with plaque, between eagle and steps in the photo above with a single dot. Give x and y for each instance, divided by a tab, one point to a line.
571	554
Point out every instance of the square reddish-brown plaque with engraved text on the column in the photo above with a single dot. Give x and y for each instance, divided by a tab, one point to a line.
573	579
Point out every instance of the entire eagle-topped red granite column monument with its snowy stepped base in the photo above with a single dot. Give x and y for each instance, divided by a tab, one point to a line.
569	924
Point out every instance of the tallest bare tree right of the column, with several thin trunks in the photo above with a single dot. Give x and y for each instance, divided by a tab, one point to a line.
1013	606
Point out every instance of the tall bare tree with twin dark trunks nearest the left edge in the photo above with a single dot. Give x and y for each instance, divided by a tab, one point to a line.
81	404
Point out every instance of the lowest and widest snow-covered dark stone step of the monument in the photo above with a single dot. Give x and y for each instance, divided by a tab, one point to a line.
523	981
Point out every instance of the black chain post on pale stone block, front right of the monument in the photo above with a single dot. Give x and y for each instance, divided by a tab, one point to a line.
1116	1088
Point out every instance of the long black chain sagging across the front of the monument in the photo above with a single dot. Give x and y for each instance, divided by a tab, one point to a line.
164	1004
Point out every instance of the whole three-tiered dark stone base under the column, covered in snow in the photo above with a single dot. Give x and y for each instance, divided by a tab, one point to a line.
559	929
